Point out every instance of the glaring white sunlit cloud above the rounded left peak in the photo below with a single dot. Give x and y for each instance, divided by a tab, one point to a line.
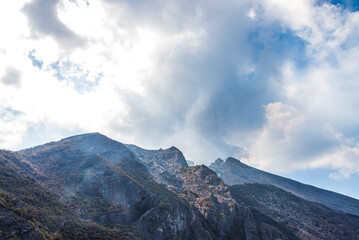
123	58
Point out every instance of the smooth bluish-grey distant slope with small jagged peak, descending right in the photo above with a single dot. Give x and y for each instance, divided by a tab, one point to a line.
233	172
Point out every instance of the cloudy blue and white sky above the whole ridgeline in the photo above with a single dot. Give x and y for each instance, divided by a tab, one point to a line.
274	83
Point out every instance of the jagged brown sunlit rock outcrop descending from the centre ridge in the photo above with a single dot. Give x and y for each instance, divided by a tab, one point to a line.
227	217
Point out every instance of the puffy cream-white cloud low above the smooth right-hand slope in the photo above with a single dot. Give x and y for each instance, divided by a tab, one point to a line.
292	140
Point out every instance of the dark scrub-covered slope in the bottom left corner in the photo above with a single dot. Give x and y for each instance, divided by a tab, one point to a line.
29	210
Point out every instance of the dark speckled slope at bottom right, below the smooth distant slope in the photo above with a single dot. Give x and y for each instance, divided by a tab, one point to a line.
306	220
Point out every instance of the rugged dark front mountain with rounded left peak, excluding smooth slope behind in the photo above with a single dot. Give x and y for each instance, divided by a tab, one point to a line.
92	187
